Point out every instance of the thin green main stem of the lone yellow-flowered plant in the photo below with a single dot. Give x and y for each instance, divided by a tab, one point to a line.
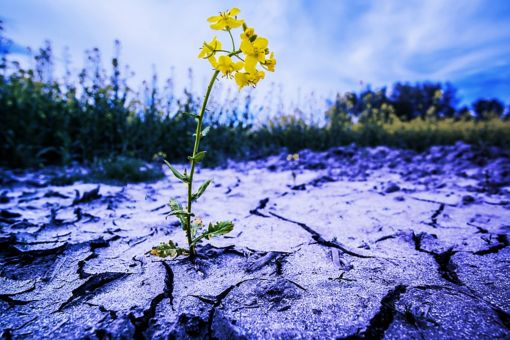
198	135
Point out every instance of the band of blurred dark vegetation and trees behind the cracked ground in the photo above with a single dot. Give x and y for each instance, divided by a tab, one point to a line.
98	117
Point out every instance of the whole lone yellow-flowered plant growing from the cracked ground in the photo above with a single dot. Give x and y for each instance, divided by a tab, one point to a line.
239	64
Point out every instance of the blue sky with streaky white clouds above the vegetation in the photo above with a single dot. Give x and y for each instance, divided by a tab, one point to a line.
326	46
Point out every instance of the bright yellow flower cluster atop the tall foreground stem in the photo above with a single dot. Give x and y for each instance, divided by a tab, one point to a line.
239	64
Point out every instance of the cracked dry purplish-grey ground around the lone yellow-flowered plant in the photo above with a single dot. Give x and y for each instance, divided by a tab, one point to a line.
349	243
